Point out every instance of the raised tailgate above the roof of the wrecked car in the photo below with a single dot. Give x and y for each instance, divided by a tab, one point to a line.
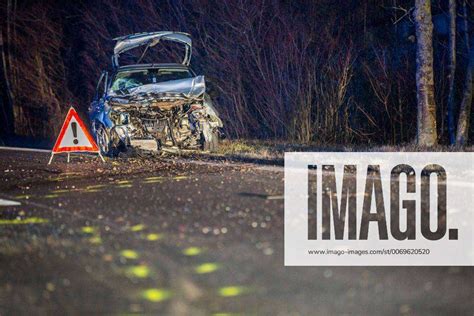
128	42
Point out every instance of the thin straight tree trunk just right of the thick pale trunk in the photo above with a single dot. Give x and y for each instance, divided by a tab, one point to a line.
452	70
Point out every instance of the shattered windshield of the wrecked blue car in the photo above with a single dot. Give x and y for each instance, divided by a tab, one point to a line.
129	79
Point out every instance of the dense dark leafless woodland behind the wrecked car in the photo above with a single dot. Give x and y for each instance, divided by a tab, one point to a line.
328	72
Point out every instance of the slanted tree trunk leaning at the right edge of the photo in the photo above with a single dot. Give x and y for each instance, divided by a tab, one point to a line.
466	103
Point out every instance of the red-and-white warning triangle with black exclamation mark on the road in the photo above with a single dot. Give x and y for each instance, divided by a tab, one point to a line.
74	136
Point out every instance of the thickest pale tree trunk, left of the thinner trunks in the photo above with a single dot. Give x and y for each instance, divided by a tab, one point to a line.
427	135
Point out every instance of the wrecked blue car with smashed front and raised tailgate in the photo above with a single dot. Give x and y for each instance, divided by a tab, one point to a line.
153	105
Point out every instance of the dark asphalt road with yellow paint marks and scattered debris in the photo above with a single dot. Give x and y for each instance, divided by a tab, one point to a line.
155	237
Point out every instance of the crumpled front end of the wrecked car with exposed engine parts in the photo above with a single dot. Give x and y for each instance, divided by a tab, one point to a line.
175	113
